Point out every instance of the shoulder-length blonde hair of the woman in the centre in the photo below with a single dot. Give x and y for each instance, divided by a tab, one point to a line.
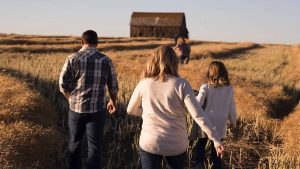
162	62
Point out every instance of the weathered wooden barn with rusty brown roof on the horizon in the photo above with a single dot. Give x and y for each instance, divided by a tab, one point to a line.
151	24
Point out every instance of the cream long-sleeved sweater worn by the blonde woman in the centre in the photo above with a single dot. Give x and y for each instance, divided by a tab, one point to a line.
164	128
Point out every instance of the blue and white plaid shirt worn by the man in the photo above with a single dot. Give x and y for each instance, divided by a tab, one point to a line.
85	76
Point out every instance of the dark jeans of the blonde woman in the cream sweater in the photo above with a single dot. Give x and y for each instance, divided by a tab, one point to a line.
154	161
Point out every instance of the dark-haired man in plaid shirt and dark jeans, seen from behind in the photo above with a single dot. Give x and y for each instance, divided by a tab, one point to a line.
83	80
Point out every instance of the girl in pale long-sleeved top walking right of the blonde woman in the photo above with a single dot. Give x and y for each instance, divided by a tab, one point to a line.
217	99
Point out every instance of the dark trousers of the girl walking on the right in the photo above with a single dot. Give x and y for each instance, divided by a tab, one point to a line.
200	154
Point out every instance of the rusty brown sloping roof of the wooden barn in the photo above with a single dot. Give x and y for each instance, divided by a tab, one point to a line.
157	19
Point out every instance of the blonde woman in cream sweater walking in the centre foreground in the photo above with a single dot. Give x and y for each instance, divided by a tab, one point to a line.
160	98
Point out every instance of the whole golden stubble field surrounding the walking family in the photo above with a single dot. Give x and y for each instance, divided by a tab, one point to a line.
33	130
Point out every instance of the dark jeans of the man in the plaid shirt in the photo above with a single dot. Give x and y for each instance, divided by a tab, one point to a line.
92	124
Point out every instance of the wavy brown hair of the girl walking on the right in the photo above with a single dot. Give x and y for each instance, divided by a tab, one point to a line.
217	74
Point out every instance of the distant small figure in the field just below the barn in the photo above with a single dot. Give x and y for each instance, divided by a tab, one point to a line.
184	50
